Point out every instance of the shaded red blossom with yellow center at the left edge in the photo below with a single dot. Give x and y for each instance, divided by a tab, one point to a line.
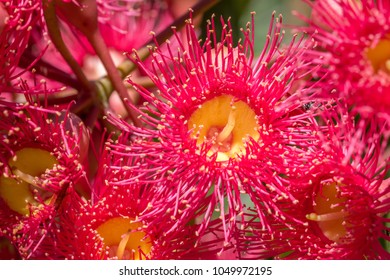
40	158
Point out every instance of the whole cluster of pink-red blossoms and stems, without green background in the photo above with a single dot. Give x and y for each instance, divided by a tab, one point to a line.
120	143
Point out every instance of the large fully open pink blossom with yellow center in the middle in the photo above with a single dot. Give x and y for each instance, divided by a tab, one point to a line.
222	130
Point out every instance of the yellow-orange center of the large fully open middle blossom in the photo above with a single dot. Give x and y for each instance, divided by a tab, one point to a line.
226	124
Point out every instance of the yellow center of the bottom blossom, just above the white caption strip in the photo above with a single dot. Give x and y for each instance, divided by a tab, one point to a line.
124	238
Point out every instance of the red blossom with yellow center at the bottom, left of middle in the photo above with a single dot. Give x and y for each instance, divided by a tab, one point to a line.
109	226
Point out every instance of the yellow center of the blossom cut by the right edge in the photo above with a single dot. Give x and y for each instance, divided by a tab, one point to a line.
379	56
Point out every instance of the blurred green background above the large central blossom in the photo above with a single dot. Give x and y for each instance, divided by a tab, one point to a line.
240	13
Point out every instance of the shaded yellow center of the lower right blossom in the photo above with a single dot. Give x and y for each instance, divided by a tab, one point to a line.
330	214
